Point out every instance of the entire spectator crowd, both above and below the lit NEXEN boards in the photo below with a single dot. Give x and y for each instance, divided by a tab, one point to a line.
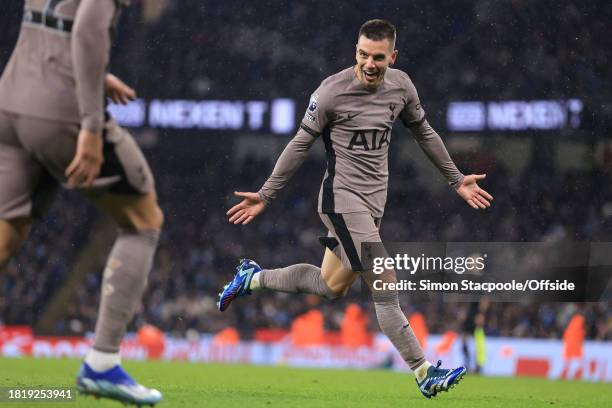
196	49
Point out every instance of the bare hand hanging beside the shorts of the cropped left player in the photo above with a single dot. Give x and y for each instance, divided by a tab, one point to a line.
88	159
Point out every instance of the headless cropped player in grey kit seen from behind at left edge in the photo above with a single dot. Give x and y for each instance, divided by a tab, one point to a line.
54	131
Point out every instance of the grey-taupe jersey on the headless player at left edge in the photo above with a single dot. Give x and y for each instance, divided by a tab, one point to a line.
53	74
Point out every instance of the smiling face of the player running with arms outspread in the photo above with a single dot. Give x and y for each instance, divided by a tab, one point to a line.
373	59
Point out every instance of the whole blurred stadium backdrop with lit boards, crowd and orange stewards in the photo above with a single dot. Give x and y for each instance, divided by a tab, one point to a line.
520	90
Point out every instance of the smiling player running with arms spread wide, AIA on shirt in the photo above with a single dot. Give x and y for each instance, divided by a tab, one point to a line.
353	112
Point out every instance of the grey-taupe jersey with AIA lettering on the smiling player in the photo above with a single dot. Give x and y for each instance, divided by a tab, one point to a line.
355	123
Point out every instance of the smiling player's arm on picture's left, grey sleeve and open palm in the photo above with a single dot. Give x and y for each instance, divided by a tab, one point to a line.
287	164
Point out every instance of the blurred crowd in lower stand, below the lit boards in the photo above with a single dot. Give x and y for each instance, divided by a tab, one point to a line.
199	250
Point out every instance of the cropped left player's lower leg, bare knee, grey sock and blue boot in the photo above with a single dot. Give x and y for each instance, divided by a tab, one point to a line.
125	277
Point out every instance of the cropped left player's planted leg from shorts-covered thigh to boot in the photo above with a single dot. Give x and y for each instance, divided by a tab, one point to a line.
133	206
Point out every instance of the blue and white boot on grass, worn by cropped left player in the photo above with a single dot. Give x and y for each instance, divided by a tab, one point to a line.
115	384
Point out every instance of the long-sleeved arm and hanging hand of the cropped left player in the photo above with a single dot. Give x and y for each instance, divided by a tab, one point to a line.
90	44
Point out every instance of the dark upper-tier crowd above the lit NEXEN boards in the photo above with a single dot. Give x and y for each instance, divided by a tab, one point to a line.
453	50
